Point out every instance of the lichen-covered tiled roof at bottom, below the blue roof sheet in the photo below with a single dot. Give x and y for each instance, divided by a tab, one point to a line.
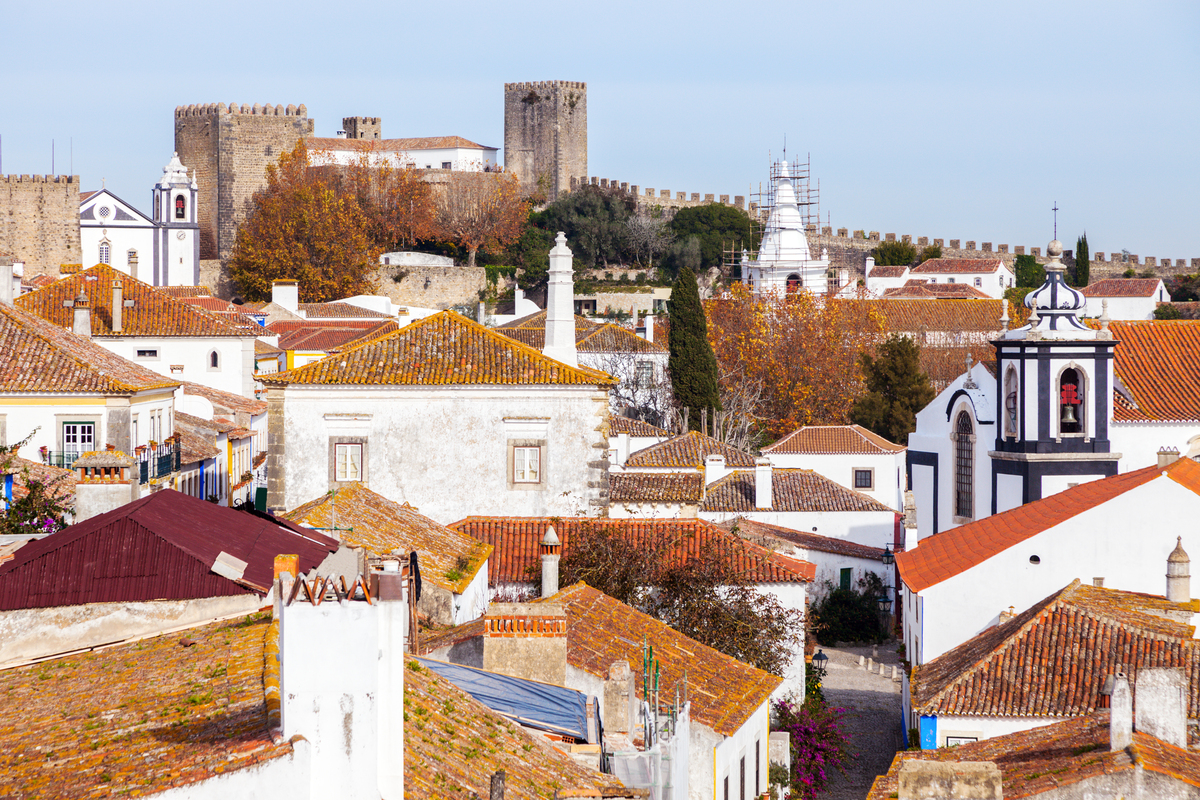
454	744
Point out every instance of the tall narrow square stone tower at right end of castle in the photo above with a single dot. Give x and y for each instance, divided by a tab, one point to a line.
547	134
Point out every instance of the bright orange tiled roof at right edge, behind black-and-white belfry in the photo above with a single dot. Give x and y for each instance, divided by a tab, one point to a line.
1159	363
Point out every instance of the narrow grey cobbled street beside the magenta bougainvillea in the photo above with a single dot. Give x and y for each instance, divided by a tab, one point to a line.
873	720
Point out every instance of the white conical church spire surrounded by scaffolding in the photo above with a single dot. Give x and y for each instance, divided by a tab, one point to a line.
784	263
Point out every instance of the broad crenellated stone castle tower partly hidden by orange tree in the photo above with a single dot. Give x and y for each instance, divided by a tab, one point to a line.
227	149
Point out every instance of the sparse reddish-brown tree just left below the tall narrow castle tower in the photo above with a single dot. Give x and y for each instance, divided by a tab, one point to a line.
482	210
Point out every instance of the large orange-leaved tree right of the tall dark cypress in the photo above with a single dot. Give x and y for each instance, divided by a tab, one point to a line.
791	360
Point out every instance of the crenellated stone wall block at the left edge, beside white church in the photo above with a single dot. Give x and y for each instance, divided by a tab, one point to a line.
40	221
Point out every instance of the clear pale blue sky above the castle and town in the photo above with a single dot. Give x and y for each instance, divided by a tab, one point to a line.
934	119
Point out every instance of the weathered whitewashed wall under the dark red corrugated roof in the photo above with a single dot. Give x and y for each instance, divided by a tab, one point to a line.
38	633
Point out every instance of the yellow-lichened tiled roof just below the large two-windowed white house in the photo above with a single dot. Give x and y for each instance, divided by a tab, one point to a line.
448	558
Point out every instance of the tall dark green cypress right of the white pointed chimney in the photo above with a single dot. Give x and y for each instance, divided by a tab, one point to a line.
692	365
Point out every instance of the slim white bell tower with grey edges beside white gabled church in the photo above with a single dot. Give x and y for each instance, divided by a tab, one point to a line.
177	246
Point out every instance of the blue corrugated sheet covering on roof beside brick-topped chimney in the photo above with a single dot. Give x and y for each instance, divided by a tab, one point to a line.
527	702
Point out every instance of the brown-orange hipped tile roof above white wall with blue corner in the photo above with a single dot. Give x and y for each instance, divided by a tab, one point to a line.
1053	659
